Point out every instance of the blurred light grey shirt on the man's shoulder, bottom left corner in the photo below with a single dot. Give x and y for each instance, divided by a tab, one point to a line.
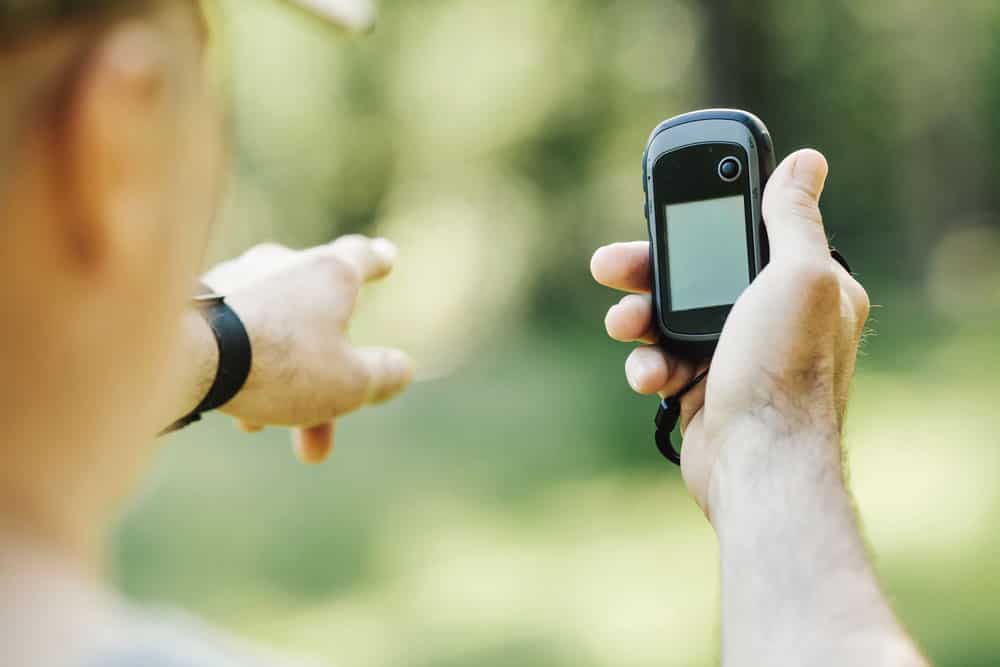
53	614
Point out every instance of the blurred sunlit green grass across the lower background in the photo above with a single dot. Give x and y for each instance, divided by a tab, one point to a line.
518	513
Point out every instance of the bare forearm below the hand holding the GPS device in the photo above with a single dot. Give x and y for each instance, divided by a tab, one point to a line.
797	587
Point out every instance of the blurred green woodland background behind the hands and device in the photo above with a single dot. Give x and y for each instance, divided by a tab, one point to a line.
511	508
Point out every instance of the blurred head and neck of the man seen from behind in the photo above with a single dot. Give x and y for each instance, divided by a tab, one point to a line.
110	173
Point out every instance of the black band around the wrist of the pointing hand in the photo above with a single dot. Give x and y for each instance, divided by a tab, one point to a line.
235	357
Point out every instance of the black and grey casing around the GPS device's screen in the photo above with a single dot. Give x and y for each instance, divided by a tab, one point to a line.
694	334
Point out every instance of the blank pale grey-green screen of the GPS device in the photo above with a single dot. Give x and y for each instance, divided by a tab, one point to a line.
707	250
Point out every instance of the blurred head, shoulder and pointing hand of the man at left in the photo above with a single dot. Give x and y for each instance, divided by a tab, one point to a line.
110	171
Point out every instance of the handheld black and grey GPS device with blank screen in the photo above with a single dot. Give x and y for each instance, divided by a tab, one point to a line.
703	174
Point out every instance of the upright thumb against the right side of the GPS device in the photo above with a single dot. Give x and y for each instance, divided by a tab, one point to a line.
791	207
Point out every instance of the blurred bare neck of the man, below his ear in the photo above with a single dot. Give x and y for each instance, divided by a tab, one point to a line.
62	473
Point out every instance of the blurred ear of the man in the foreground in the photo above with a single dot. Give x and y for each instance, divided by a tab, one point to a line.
119	129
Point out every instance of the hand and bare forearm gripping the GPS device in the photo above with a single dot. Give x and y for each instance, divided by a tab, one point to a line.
761	451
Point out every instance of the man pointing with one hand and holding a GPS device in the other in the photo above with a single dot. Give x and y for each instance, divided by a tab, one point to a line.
109	174
